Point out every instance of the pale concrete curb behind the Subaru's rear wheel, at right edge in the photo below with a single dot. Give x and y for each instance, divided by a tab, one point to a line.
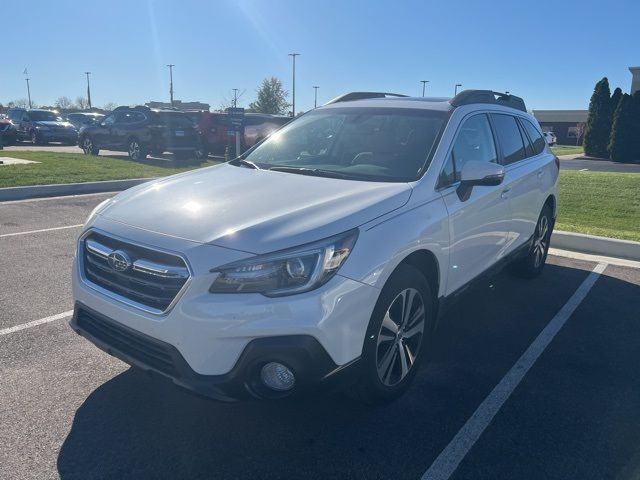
610	247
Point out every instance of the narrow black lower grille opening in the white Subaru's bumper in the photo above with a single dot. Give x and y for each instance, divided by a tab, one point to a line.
146	350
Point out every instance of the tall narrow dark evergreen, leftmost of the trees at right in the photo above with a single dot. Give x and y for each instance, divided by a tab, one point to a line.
598	129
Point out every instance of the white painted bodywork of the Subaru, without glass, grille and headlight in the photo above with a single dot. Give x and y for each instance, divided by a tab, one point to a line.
222	214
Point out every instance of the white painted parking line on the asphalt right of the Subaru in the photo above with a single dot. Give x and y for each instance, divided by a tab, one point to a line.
449	459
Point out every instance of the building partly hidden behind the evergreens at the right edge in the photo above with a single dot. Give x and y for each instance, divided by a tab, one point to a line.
565	124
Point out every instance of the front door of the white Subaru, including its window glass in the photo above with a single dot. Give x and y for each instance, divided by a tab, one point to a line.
478	225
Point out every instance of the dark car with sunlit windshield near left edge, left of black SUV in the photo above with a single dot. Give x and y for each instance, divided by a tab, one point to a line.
42	126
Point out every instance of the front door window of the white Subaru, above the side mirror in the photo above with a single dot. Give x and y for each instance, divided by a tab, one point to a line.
473	142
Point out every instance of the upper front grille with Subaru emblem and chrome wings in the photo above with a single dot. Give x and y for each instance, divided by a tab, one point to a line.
142	275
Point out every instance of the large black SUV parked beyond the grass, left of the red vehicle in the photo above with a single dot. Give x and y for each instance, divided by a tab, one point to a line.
140	131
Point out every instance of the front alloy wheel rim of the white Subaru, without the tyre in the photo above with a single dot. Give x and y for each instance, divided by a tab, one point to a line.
400	336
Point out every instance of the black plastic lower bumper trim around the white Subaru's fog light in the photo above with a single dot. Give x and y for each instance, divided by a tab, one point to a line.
303	354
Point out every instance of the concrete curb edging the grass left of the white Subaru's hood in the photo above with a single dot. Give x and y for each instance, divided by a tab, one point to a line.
59	190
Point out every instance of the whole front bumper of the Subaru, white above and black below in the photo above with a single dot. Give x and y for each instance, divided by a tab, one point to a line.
211	333
